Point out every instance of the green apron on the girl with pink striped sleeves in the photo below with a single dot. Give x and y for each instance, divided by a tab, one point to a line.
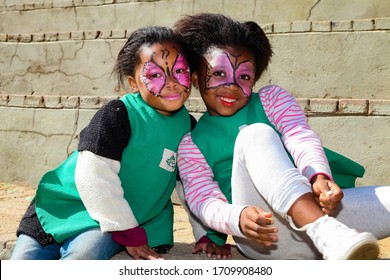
215	137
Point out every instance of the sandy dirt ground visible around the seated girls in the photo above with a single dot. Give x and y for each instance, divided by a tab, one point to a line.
15	197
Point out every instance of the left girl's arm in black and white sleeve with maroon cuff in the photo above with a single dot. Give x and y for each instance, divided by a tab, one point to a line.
100	151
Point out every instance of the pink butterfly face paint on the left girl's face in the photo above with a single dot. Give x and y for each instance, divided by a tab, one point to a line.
155	75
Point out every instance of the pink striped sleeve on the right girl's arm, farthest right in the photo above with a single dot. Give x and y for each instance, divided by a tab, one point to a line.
303	144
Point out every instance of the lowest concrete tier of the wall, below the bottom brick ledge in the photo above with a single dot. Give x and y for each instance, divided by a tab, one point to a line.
37	133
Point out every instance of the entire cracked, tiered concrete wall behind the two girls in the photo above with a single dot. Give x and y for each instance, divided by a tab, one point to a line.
56	58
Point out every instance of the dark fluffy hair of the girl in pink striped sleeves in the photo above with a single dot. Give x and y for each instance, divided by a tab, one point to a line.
205	30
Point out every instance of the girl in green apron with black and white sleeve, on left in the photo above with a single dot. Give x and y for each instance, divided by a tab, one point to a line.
114	192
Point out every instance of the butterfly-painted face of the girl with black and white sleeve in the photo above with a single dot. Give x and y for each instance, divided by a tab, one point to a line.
162	77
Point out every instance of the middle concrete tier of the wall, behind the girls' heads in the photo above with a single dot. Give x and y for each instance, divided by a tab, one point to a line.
350	59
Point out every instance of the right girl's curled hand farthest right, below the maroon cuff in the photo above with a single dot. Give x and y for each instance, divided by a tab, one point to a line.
327	194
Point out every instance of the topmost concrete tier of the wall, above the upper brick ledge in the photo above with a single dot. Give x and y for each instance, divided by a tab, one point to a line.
70	15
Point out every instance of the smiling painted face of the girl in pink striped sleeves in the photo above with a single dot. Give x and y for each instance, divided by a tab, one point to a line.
225	79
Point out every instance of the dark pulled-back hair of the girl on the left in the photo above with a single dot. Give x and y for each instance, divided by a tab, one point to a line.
129	55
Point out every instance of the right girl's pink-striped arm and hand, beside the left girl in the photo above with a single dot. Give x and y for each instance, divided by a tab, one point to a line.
208	203
